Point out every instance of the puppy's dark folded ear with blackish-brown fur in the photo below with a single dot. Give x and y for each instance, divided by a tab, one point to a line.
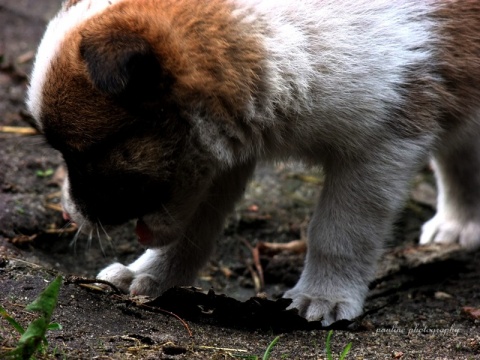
121	63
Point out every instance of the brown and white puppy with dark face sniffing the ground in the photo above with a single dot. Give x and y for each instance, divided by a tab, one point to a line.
161	108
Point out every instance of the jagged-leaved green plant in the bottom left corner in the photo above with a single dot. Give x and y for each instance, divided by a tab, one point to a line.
33	338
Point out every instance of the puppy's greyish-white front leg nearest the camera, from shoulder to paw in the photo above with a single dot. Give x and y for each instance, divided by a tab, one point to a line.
357	207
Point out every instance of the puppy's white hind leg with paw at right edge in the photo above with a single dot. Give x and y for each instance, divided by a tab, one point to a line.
457	170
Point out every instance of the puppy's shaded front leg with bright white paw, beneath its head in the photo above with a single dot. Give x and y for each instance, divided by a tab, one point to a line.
178	263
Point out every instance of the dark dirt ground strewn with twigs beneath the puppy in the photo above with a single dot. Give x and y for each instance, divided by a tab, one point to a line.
421	306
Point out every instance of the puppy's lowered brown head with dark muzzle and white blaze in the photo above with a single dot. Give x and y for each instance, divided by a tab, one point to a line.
131	102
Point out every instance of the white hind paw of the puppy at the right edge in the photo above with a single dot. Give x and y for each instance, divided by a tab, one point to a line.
442	230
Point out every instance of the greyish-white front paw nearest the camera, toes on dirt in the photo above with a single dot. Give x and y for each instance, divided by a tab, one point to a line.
326	303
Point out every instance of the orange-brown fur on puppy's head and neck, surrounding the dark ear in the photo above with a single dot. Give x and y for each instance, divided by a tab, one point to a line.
214	60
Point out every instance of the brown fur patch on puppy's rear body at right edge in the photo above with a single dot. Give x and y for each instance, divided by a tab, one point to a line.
445	92
